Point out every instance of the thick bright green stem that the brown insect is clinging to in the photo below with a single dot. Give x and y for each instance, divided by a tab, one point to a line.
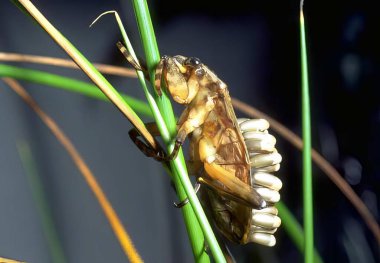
195	219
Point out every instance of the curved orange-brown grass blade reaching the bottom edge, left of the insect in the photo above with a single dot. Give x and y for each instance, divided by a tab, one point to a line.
113	219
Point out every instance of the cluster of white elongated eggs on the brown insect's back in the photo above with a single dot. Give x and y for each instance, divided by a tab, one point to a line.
264	161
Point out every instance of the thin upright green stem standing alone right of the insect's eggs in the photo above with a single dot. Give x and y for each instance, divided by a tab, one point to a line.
307	161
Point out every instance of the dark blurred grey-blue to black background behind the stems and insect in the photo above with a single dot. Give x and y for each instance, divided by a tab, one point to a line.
254	47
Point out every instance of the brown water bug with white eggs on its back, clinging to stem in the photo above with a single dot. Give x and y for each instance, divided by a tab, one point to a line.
219	157
